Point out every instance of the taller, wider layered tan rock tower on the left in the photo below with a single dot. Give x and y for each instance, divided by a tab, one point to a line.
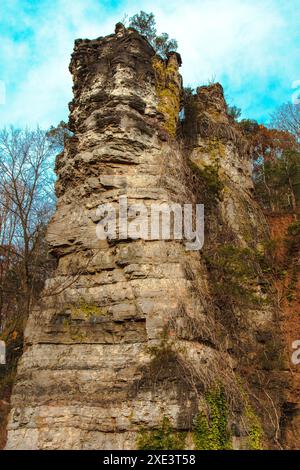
124	333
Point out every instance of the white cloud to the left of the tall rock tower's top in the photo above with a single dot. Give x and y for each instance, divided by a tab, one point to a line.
42	84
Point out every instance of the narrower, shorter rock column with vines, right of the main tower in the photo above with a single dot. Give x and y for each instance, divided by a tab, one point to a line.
237	251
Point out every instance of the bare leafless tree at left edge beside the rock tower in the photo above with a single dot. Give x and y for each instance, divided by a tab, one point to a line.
26	203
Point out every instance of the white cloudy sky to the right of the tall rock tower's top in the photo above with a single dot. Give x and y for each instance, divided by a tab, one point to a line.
250	46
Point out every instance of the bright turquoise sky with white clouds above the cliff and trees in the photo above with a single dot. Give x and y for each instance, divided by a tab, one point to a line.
251	47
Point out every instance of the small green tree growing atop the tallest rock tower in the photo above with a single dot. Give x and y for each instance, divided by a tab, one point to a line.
145	24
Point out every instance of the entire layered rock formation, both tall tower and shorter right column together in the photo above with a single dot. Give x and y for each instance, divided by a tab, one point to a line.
132	333
